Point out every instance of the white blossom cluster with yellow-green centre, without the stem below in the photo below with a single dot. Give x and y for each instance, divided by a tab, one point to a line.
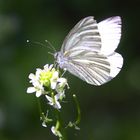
47	82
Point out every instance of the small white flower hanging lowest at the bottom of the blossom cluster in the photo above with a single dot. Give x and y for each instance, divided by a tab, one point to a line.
54	101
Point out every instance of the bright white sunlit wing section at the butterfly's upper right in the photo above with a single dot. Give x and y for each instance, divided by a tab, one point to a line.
110	31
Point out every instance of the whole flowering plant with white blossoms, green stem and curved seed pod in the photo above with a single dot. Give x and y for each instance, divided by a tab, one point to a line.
48	83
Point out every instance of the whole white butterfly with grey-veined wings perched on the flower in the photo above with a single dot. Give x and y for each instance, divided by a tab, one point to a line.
88	50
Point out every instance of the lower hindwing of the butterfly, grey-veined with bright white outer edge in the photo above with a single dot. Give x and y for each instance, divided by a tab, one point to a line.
95	68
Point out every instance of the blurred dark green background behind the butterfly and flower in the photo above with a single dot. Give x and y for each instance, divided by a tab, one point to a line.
109	112
